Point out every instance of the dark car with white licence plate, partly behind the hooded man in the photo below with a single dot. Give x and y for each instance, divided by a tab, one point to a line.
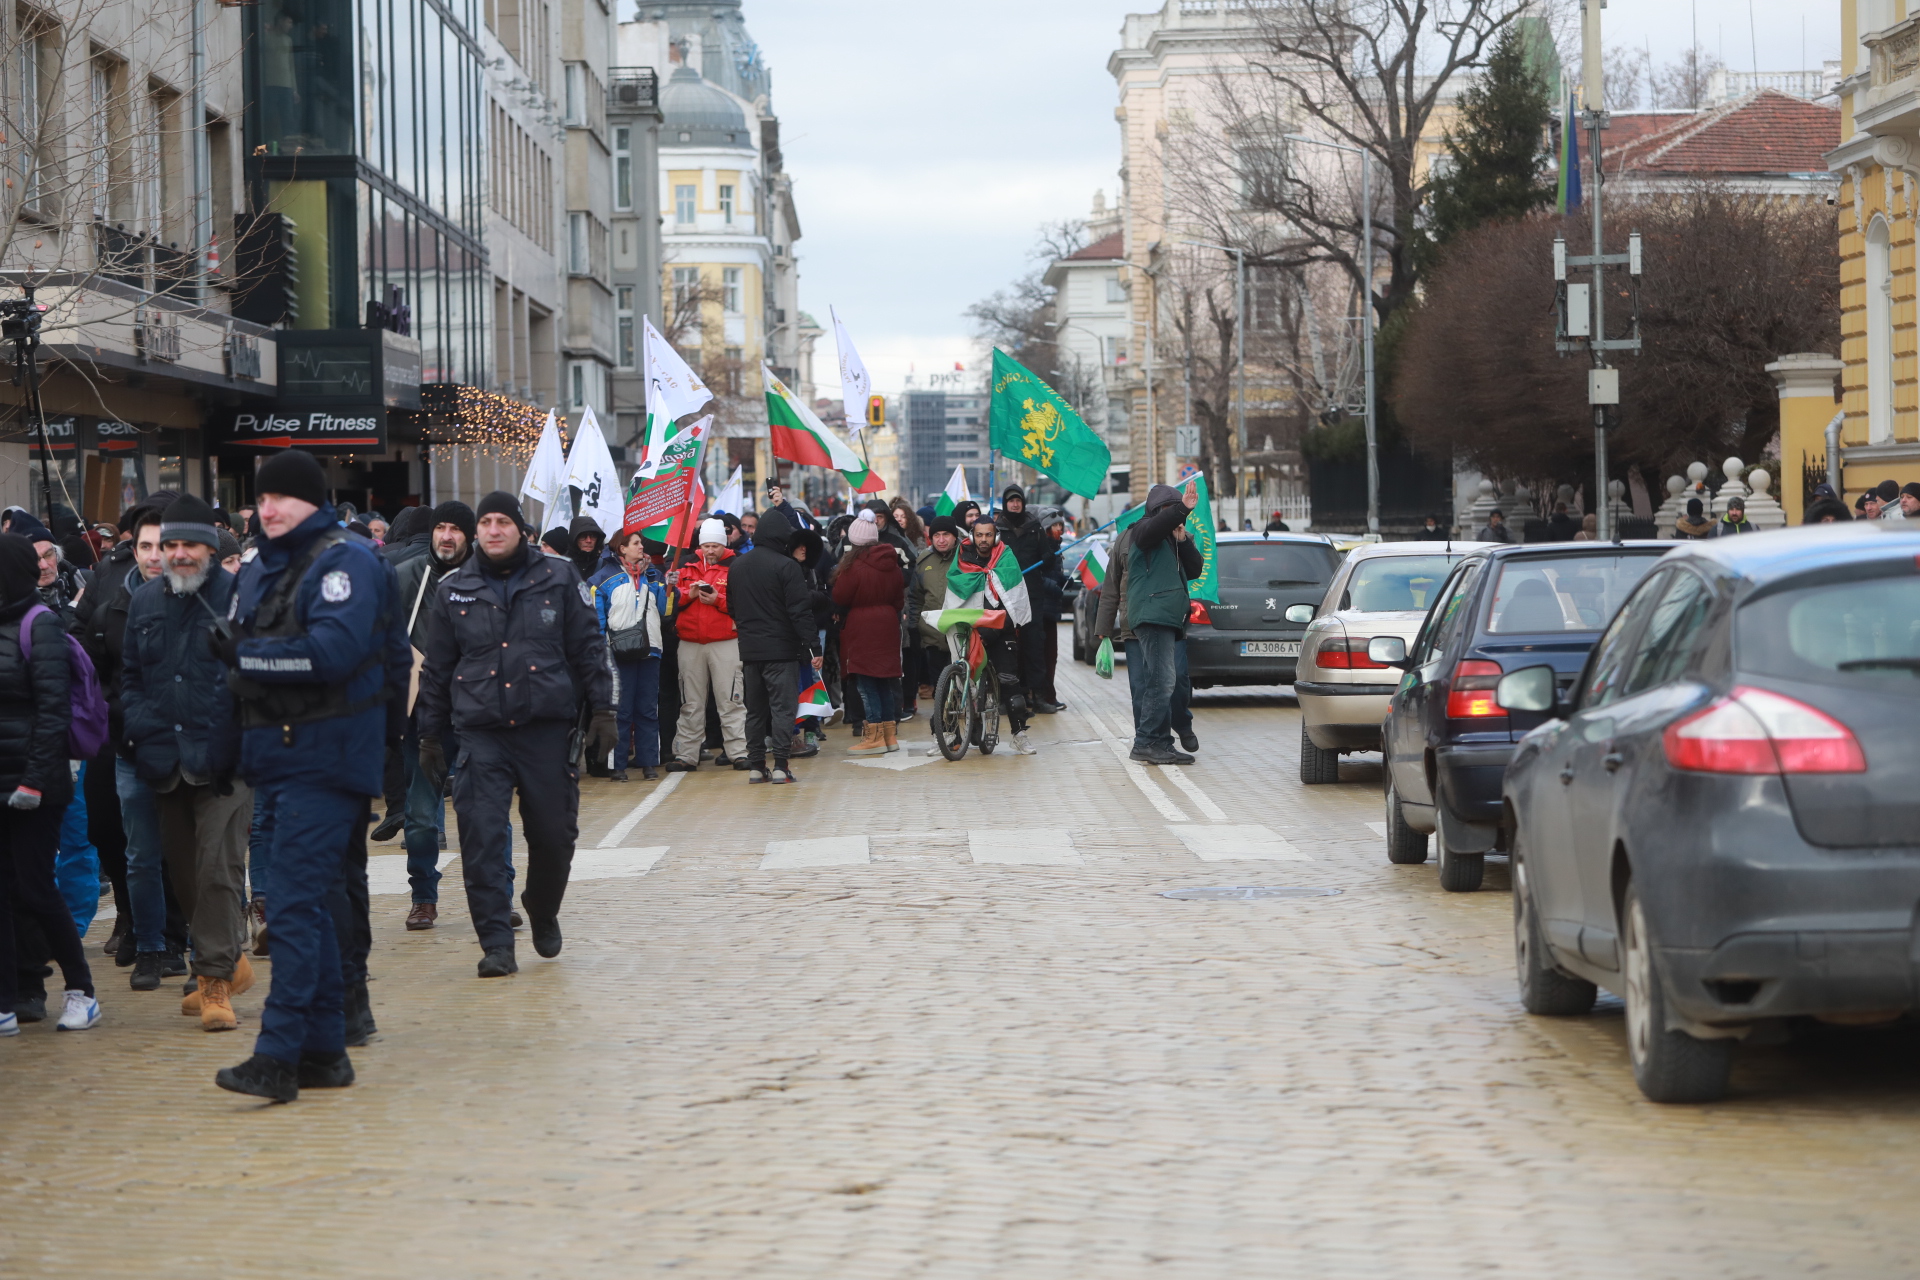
1245	638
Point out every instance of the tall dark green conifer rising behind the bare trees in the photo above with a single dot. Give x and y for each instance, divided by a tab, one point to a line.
1502	162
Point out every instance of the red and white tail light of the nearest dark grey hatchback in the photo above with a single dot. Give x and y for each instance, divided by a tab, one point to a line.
1762	732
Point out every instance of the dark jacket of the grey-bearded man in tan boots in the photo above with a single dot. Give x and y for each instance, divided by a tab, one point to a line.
174	690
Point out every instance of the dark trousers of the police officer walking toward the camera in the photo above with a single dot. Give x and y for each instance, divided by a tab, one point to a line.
494	765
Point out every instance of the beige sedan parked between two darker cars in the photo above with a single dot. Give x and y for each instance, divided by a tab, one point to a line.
1381	590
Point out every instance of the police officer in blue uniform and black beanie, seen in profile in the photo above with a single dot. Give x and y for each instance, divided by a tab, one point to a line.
316	642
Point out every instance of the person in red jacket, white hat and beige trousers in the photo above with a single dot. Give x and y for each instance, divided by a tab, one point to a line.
709	653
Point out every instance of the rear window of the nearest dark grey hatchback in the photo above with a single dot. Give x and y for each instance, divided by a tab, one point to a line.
1863	632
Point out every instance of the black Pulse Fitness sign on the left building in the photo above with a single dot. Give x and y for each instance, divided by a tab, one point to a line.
337	387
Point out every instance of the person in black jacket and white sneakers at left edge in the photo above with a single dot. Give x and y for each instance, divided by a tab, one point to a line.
37	782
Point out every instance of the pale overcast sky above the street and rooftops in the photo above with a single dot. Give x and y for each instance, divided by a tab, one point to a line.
930	141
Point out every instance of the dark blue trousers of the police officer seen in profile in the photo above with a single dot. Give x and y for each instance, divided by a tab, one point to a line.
310	836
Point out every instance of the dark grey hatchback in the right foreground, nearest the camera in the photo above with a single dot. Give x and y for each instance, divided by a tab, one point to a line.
1721	820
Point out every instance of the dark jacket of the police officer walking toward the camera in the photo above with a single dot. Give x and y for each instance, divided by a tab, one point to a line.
492	667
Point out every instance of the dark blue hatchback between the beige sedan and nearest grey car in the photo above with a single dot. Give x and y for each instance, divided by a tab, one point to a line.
1447	736
